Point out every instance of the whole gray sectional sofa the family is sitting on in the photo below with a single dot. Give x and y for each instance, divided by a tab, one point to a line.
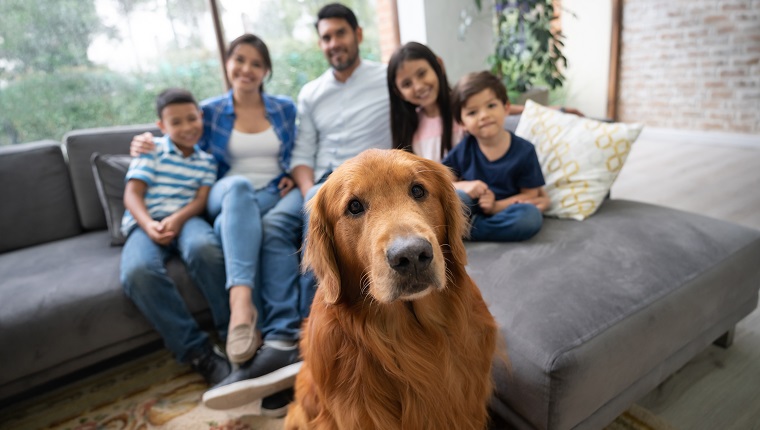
595	313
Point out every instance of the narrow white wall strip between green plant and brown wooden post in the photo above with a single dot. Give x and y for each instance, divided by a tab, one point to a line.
587	48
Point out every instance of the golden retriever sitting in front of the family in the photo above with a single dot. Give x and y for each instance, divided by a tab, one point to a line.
399	336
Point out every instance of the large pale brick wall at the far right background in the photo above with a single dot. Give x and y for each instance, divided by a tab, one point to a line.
691	64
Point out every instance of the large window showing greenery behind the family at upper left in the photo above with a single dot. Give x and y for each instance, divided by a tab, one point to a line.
71	64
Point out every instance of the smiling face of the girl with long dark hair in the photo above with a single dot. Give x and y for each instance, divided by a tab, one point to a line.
418	84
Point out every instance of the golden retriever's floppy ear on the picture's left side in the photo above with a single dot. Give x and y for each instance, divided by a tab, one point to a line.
320	247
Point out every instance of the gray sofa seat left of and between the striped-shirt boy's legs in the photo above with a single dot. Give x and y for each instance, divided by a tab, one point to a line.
63	300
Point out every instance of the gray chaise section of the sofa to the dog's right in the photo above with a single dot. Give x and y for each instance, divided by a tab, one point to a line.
588	308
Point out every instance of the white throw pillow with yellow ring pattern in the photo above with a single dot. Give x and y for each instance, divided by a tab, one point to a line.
580	157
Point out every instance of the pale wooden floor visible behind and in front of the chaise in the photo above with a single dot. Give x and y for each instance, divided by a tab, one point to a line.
720	388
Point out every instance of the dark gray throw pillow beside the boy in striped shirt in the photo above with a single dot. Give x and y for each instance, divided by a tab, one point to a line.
109	171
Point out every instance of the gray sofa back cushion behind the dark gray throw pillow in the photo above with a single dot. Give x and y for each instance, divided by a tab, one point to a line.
80	145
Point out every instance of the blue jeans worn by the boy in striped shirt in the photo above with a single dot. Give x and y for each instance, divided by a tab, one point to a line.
145	280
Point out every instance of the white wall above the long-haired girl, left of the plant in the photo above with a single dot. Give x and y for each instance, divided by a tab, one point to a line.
436	24
